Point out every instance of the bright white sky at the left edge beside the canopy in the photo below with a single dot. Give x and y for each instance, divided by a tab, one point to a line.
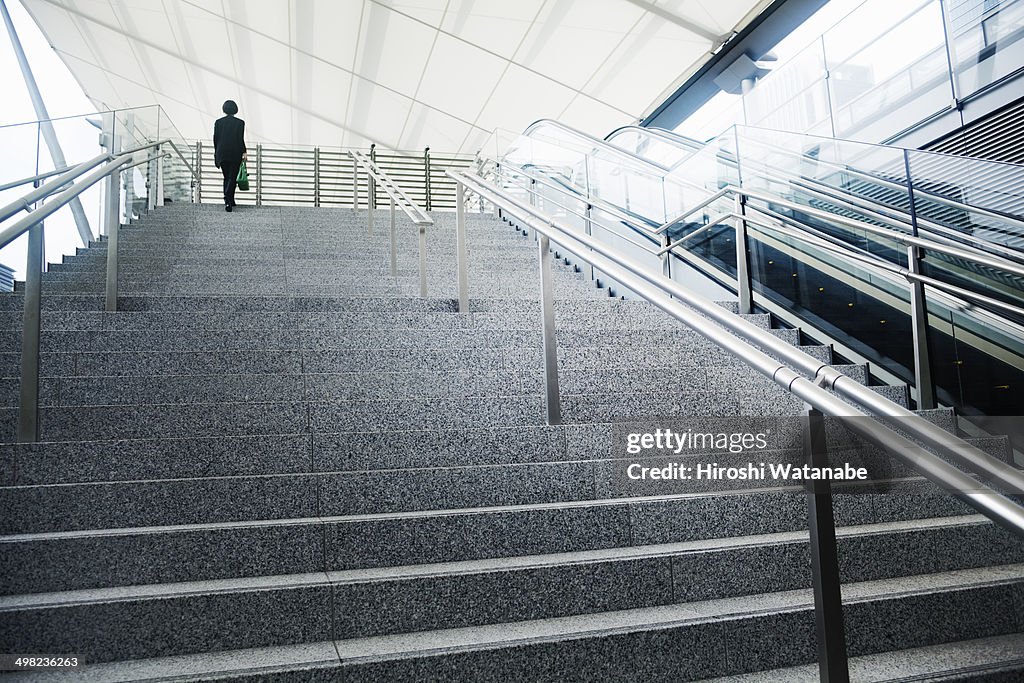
64	98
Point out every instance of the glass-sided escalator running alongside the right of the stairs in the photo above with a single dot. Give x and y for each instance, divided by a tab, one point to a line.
827	194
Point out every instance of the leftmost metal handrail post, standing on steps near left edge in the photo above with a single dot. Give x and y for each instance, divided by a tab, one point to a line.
28	406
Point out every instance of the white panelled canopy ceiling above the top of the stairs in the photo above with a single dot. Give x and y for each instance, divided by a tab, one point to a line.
405	74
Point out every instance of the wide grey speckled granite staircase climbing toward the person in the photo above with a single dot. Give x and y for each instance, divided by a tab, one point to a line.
276	462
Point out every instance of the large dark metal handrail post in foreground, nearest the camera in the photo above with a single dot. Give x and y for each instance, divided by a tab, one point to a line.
825	560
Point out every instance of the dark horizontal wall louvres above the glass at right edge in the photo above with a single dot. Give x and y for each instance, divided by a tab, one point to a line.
999	137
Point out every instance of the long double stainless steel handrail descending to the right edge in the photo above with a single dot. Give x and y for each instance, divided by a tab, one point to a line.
743	337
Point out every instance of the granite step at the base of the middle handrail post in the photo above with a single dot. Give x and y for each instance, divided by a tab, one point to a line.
227	419
